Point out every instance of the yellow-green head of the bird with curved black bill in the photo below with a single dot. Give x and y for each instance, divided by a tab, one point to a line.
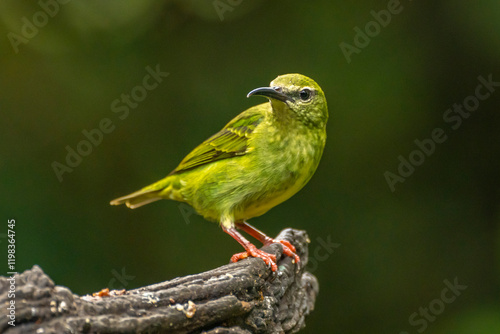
298	96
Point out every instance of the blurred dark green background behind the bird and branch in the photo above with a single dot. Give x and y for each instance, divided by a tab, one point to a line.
394	249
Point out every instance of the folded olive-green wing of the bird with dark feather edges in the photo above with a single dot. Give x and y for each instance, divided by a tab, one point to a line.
231	141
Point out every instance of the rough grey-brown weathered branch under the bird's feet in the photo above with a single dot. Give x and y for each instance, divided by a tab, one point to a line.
244	297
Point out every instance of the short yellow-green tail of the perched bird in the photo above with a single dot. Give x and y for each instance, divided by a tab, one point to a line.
167	188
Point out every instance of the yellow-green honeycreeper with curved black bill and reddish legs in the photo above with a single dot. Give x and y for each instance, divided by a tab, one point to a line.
258	160
